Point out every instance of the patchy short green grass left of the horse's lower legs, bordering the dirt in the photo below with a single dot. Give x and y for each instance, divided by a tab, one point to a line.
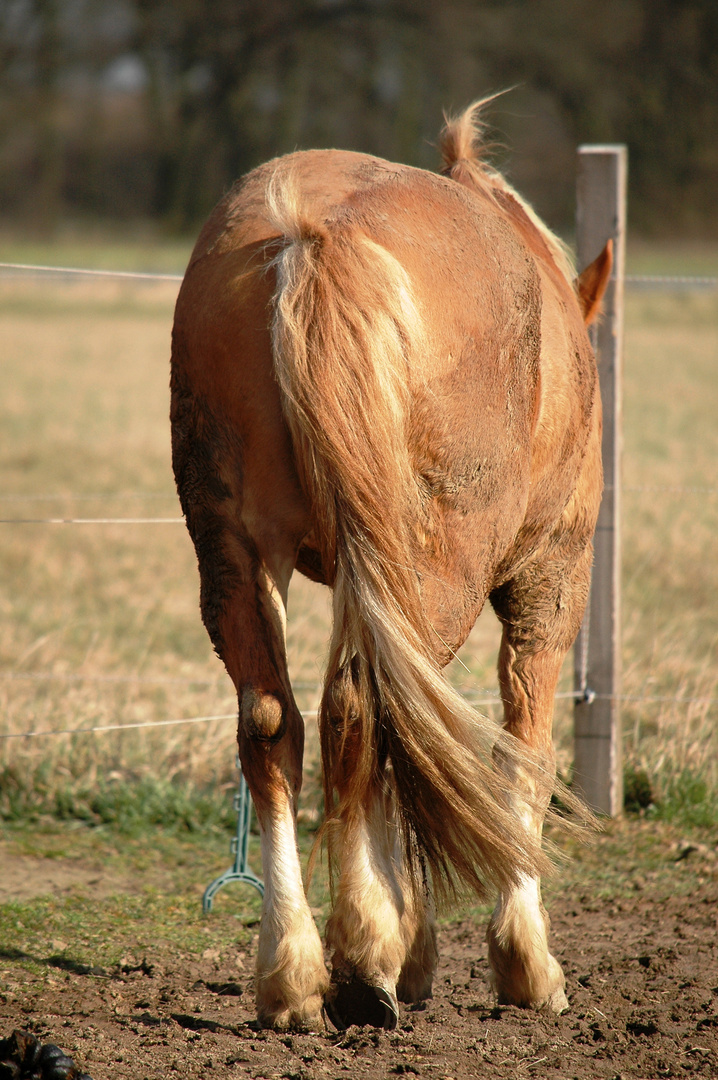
103	893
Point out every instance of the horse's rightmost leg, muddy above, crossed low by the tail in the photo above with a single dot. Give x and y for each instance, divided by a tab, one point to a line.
541	611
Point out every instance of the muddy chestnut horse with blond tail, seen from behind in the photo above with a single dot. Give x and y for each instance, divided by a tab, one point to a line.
382	379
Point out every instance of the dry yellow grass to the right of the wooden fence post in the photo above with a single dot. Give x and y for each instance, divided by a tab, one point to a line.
671	514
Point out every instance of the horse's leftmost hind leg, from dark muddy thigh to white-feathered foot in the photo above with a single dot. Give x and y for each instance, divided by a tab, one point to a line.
247	553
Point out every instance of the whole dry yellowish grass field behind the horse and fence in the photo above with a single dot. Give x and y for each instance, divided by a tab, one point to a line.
101	622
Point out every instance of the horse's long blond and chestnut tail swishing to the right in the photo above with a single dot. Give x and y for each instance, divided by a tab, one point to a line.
346	328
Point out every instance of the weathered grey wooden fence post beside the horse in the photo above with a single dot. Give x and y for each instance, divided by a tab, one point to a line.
598	766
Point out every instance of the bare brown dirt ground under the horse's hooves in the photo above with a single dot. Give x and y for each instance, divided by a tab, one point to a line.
642	979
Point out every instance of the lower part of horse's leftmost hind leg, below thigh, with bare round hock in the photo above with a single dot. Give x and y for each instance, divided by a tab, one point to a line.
291	973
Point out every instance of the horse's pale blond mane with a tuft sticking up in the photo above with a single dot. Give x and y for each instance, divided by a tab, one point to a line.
464	152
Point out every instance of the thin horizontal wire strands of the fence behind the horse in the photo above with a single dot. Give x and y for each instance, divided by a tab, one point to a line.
478	698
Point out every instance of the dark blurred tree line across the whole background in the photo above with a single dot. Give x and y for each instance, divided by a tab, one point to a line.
152	109
